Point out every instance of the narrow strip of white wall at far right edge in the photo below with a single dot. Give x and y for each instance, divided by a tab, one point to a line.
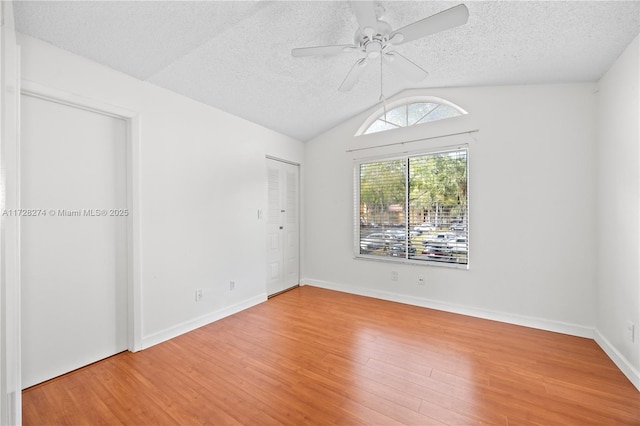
618	253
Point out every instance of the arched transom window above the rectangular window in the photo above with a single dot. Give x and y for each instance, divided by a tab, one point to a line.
409	113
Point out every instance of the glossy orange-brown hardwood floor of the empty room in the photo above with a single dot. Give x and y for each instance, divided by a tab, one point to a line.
313	356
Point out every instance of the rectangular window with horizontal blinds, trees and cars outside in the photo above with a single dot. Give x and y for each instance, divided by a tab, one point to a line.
414	208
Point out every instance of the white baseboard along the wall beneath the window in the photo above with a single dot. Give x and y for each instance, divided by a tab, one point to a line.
533	322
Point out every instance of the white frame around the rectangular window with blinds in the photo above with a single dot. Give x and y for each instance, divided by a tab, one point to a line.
406	156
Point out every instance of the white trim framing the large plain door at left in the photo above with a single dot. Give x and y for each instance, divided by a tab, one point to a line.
132	118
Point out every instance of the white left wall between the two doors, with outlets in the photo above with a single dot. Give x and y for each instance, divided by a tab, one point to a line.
202	181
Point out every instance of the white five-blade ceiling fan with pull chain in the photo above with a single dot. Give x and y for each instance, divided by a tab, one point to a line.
376	39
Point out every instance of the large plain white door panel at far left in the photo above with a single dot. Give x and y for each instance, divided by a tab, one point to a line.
74	242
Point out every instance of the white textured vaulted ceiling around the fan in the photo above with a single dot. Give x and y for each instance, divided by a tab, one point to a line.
236	55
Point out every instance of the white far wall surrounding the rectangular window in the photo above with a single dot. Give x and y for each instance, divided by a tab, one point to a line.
532	209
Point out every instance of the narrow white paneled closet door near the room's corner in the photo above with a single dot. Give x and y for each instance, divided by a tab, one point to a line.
283	226
